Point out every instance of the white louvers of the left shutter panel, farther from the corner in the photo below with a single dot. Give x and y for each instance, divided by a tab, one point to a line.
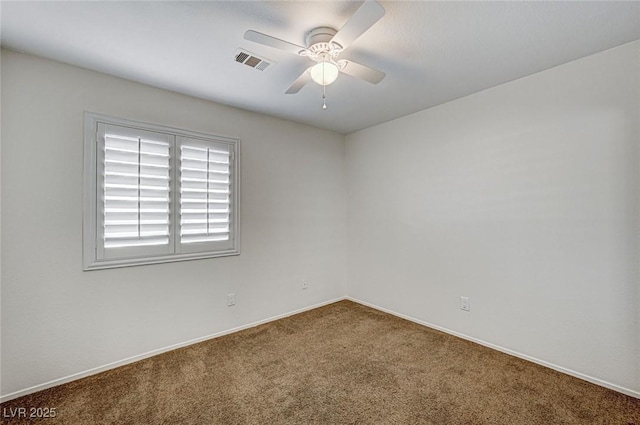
136	192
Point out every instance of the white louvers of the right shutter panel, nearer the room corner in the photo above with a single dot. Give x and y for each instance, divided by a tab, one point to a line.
205	195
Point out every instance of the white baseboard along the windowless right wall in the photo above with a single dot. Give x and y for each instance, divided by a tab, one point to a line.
553	366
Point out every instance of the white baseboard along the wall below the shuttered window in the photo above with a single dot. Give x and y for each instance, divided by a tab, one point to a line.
152	353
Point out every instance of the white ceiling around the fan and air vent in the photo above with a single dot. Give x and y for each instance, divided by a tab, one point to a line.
432	52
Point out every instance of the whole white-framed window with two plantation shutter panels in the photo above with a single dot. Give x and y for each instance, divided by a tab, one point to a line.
157	194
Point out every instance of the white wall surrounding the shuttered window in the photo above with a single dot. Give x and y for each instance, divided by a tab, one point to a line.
58	320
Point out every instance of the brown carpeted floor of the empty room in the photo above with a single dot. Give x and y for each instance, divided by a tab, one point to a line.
339	364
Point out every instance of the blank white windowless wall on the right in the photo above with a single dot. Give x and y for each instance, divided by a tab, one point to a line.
523	197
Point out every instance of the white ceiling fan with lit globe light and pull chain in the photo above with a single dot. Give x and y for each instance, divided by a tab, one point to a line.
324	45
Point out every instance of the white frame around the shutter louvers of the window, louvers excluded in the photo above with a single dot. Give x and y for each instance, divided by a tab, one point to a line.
92	202
